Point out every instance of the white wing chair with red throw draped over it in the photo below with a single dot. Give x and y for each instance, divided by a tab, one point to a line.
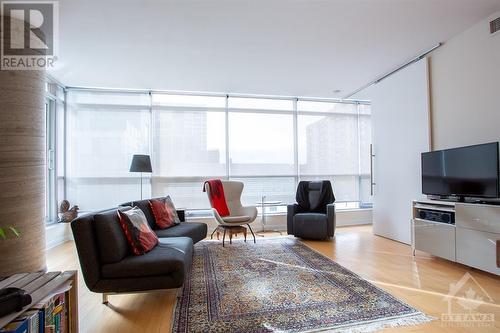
238	214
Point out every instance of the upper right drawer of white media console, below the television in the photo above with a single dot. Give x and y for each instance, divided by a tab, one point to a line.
478	217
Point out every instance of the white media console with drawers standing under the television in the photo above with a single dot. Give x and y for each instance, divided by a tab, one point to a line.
474	239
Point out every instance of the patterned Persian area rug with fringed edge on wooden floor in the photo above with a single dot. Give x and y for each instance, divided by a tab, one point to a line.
281	285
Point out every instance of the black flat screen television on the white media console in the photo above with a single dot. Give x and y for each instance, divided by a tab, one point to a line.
471	171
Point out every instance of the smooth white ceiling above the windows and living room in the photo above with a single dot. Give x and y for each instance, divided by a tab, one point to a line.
273	47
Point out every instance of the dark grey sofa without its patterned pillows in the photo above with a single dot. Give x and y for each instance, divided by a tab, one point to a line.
109	267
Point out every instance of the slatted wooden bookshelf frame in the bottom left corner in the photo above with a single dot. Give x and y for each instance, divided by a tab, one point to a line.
40	285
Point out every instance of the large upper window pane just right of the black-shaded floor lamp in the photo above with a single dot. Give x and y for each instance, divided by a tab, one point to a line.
189	143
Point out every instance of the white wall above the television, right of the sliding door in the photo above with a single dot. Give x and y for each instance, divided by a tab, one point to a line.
465	88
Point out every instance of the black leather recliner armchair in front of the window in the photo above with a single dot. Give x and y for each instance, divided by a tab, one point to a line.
313	216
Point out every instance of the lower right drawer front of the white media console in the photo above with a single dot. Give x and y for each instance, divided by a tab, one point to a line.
478	249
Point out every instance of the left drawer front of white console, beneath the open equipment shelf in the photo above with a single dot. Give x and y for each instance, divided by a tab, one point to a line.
435	238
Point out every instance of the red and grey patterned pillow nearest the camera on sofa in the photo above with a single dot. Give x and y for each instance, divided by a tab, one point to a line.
139	235
